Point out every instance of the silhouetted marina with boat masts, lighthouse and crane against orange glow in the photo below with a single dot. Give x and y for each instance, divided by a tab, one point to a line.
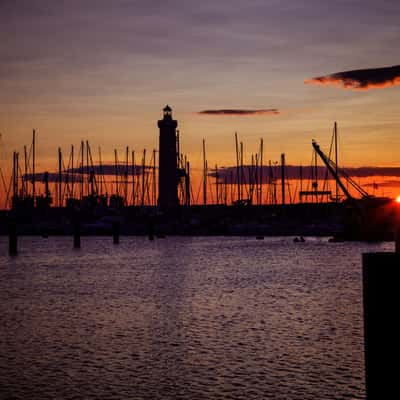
158	195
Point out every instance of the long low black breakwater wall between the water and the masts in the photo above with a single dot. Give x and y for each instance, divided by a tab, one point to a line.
298	219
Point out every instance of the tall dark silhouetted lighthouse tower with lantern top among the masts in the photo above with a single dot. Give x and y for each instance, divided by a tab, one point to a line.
167	173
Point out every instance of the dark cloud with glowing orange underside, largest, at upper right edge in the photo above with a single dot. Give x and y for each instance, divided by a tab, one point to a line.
361	79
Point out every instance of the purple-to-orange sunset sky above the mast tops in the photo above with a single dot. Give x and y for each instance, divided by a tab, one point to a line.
103	70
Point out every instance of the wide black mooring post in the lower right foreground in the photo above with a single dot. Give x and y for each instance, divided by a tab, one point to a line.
381	273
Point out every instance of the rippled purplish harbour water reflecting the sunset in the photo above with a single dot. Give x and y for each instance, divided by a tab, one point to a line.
182	318
